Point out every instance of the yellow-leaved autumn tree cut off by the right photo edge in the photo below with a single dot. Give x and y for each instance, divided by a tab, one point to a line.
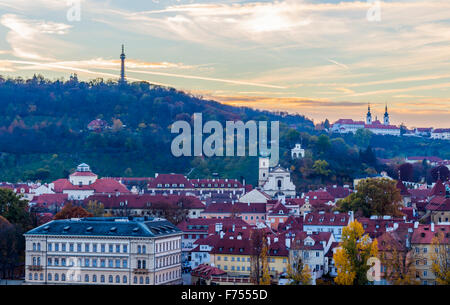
440	256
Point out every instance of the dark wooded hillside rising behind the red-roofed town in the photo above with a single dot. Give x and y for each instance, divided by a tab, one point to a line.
44	135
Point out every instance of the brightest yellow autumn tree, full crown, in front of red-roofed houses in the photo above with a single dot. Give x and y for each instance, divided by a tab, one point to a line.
351	258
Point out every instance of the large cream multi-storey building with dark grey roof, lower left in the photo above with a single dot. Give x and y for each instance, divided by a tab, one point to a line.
104	250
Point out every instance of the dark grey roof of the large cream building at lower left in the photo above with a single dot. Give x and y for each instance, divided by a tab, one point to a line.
107	226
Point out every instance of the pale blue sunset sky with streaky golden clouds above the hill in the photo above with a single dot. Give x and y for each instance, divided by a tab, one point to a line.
319	58
